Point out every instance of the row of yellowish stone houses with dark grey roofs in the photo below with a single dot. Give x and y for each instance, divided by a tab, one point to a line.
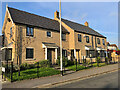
31	38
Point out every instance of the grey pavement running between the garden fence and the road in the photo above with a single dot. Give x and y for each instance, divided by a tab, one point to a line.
45	82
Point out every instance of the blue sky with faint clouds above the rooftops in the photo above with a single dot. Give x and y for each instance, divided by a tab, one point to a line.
101	16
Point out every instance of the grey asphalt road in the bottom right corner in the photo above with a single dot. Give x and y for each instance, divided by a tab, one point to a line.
109	80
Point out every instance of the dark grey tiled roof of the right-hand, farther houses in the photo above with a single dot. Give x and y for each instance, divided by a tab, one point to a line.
81	28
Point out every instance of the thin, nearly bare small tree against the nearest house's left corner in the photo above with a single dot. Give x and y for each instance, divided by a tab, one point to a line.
19	41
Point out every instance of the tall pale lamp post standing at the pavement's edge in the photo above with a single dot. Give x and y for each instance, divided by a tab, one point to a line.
61	63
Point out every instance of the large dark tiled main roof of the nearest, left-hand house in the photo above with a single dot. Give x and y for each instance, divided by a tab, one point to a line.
22	17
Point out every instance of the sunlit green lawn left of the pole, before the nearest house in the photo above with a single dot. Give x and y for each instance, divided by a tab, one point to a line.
32	73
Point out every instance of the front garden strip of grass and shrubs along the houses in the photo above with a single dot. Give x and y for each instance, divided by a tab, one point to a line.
44	68
